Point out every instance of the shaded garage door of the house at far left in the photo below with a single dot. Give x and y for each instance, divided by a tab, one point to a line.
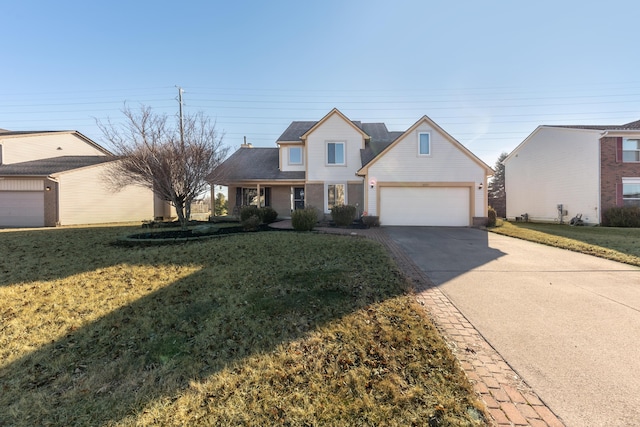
21	209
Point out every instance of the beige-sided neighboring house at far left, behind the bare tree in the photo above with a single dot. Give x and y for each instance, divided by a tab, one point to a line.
57	178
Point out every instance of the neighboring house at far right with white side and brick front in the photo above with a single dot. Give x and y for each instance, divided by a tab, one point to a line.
559	172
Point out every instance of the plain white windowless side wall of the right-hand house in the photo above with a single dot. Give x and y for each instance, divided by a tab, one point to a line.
554	166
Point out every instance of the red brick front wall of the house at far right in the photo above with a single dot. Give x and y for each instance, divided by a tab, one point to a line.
612	170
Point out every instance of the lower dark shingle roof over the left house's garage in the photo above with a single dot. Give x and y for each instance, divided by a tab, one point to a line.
46	167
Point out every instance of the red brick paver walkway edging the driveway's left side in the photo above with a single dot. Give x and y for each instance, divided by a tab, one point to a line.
508	399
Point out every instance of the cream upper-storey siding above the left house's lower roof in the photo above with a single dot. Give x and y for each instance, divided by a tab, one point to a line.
18	149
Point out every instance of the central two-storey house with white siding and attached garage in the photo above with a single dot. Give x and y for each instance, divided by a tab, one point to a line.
422	176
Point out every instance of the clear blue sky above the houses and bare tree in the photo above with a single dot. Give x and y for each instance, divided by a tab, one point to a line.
487	72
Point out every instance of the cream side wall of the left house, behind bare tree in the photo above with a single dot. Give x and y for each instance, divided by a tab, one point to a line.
84	199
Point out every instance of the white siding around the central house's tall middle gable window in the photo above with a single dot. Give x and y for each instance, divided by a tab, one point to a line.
334	129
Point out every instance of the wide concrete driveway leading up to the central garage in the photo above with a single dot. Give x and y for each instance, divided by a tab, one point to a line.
568	324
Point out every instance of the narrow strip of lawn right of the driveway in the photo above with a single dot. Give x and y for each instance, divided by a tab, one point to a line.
617	244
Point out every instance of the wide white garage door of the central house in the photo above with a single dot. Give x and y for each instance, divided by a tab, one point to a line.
433	206
